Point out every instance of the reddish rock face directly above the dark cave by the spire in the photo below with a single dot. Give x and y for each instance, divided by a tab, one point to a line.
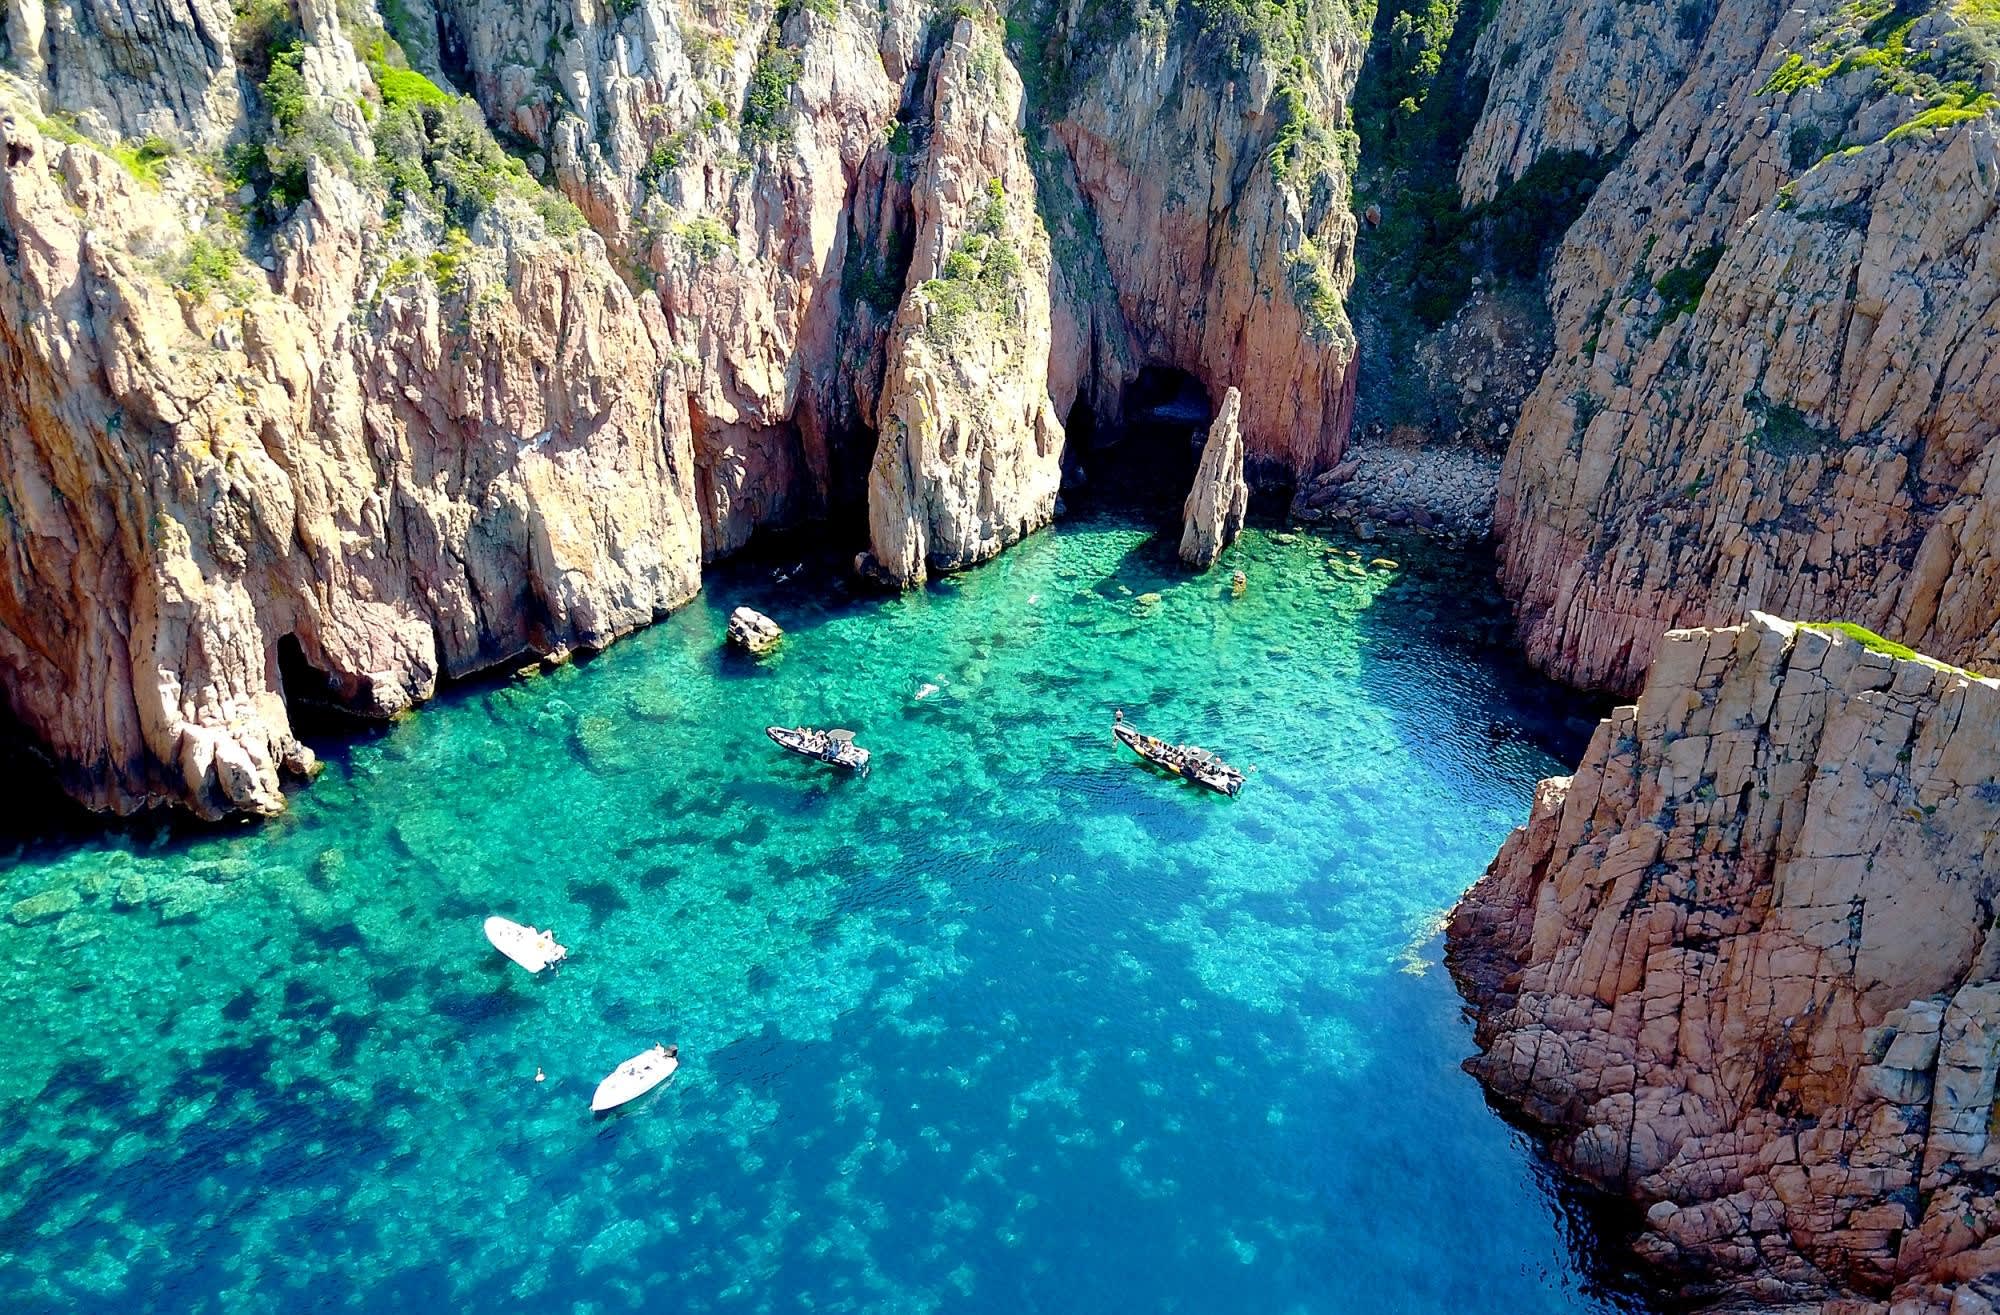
1223	261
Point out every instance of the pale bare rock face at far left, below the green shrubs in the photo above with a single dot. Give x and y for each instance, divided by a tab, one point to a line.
193	485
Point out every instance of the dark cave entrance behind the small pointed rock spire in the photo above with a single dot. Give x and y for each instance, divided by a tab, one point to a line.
1147	455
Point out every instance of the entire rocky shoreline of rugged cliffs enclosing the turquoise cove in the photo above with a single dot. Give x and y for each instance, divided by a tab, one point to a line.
351	349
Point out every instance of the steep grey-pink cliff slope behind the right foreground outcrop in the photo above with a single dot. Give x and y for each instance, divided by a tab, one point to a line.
1775	327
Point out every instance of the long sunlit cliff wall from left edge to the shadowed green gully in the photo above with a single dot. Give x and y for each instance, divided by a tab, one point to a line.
357	347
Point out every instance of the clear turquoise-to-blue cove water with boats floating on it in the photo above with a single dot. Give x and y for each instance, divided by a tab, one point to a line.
1007	1026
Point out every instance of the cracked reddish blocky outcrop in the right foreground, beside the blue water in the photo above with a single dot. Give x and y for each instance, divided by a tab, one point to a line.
1741	966
